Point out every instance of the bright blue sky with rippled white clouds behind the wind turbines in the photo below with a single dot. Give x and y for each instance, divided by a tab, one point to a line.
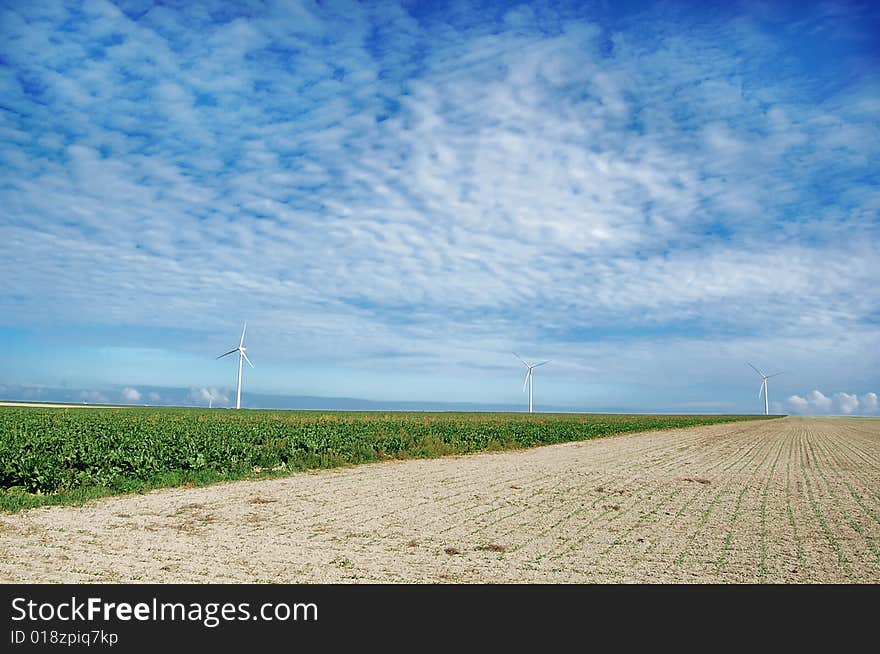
395	196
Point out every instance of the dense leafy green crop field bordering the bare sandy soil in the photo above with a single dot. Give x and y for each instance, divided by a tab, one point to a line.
55	456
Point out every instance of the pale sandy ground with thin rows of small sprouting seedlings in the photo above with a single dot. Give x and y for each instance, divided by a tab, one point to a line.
791	500
